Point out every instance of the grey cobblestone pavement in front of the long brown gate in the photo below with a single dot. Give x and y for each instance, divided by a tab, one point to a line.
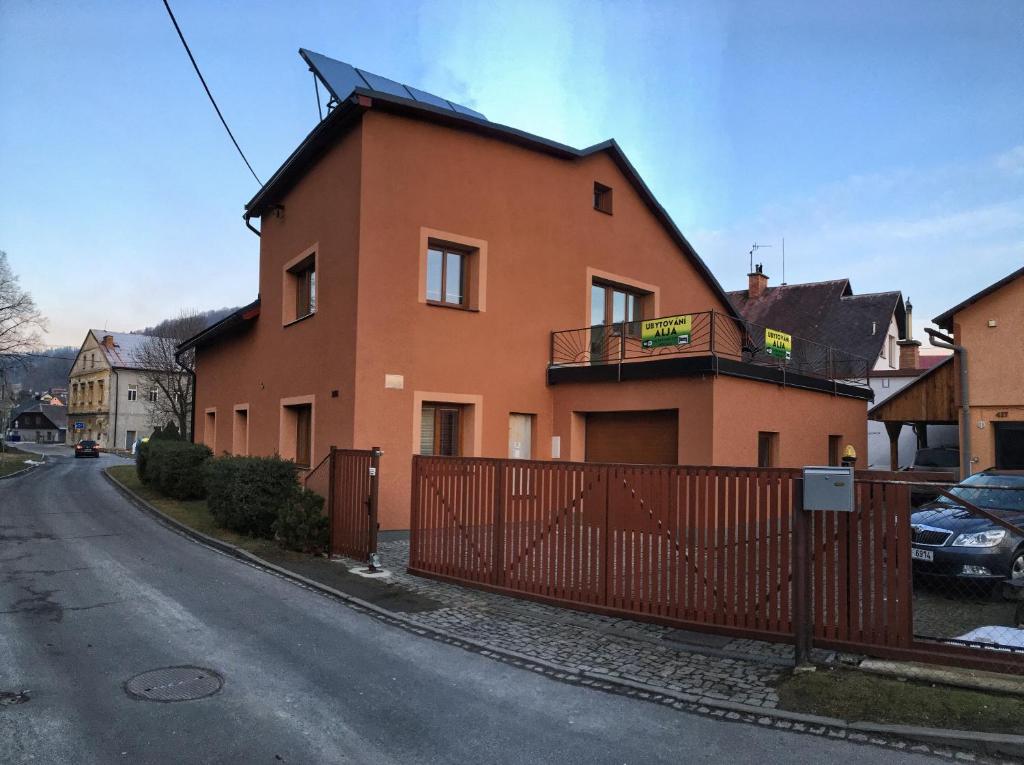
721	668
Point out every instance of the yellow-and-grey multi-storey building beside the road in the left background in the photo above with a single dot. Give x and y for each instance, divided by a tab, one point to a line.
109	395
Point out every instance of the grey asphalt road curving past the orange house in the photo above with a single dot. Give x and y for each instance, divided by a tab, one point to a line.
94	592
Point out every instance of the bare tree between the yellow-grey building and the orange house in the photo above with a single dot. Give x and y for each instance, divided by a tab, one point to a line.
170	376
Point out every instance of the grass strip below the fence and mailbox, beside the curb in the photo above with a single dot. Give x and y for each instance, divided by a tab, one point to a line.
855	696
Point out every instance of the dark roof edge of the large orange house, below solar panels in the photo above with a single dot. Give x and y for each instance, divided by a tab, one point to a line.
351	110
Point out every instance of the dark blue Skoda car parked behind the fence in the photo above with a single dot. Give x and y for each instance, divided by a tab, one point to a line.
950	540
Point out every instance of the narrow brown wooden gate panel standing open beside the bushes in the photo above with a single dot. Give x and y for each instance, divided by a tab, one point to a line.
348	480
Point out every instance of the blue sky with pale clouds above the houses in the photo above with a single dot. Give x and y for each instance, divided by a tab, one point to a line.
885	142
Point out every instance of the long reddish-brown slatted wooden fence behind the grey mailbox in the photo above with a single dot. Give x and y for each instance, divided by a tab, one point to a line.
724	550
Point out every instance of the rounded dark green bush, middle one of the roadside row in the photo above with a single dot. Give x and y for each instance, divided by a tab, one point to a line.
246	494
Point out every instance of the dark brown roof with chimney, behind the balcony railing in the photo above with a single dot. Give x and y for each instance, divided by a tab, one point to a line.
827	313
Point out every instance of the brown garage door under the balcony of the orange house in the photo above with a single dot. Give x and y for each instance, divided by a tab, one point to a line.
635	438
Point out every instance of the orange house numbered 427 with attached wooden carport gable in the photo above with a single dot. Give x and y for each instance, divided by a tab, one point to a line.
990	326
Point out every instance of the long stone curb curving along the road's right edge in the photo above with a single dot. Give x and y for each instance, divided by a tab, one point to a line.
950	744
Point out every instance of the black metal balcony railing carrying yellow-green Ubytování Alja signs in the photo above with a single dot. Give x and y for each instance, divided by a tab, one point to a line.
710	334
